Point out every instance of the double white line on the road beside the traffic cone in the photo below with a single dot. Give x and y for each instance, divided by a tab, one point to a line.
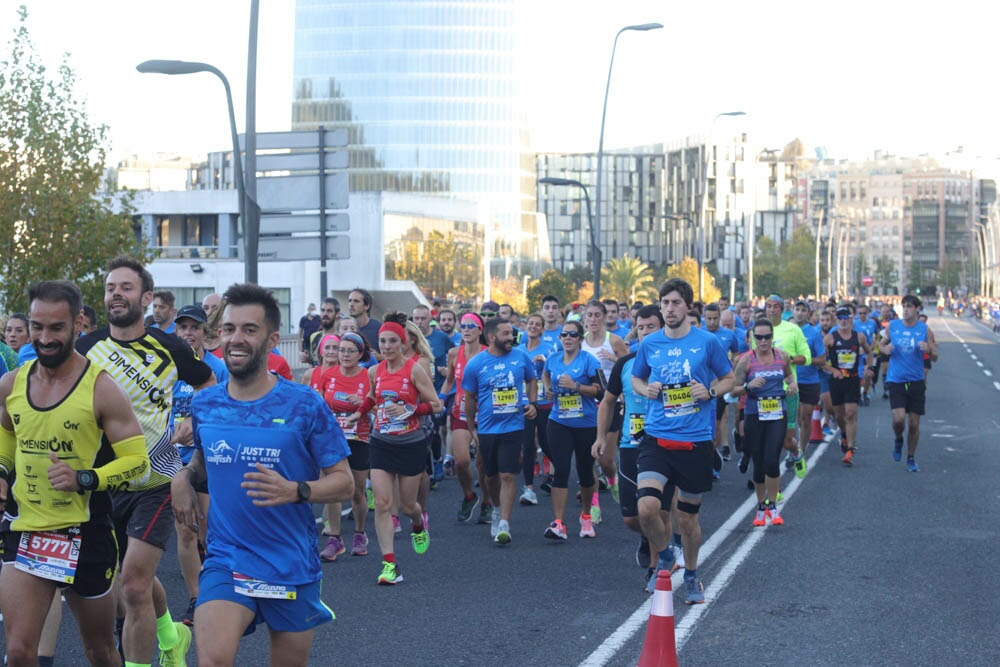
607	650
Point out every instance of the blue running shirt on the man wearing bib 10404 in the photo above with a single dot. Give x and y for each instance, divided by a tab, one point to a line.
676	362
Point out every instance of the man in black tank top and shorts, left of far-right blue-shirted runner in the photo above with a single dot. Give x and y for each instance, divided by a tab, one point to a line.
844	347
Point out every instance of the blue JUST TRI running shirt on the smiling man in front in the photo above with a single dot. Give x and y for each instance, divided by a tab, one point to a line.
290	430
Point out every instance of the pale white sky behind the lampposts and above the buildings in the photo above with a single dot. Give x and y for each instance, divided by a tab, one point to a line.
853	77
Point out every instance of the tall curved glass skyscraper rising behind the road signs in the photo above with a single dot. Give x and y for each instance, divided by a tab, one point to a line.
427	93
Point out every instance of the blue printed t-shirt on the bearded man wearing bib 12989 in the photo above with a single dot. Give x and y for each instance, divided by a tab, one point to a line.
498	383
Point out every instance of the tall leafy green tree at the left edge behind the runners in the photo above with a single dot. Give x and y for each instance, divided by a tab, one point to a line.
54	222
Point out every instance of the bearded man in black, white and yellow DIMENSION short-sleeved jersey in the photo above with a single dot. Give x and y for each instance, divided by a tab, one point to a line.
145	362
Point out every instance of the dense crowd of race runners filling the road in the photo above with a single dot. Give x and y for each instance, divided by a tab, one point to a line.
113	440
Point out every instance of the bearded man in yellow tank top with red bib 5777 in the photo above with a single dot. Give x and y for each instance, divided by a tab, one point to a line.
67	435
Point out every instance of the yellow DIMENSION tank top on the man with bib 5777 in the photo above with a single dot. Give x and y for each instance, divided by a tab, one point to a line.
68	430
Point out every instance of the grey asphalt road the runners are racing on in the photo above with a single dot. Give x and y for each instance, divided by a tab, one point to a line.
875	565
